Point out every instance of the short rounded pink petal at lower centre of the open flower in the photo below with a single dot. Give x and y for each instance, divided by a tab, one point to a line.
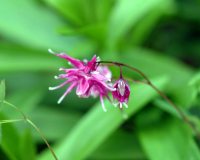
82	87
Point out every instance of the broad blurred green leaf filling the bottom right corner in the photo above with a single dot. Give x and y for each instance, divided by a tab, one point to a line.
169	140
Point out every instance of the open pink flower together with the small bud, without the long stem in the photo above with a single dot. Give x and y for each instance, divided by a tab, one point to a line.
90	78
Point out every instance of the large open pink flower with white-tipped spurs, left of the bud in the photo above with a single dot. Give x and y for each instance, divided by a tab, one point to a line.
88	78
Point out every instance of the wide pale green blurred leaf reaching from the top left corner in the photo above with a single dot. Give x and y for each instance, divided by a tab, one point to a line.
35	26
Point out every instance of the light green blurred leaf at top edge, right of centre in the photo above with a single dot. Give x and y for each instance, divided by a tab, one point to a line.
126	14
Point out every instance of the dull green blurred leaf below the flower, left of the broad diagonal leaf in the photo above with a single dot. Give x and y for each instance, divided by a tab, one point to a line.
48	118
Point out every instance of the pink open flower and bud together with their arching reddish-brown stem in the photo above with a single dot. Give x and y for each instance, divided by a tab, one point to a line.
90	79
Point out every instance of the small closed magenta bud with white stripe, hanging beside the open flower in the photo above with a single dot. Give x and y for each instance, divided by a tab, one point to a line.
122	92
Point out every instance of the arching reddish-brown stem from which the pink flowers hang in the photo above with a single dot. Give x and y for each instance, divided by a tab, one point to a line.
148	82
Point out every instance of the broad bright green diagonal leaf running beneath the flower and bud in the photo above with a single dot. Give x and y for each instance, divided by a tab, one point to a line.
96	126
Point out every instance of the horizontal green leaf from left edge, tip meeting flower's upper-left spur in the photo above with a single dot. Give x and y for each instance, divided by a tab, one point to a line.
15	58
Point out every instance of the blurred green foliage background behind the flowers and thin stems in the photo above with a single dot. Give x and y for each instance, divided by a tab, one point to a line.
160	37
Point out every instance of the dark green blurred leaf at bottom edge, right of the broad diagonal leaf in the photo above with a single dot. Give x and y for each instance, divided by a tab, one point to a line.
120	145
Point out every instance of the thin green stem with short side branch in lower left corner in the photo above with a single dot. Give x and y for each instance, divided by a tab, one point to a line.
33	125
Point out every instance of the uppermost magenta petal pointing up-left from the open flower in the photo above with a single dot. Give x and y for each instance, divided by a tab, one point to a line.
75	62
